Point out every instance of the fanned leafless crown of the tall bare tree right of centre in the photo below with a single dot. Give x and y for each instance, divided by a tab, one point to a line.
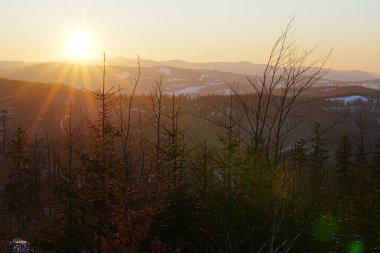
270	118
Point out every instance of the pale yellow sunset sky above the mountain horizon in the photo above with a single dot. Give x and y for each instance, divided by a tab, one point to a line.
195	30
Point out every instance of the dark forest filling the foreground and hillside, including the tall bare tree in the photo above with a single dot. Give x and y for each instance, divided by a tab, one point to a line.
244	172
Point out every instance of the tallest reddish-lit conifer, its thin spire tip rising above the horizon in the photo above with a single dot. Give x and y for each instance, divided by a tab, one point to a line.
102	184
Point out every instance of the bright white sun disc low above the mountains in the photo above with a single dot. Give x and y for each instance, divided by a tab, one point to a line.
80	45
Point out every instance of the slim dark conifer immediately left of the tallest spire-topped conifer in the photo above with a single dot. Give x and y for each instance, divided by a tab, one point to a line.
69	200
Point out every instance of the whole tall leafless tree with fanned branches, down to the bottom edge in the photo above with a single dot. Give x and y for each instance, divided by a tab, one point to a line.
263	122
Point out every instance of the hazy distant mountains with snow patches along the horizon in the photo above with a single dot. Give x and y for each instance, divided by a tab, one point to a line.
179	77
